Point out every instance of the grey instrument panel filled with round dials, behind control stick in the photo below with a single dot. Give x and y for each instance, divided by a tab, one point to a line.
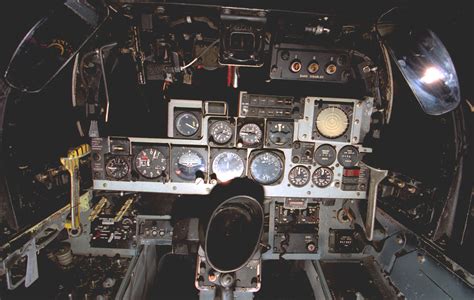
308	156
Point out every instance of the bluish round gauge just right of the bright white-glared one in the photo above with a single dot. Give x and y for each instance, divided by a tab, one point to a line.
266	168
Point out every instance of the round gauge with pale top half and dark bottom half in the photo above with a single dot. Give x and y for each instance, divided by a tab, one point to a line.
188	163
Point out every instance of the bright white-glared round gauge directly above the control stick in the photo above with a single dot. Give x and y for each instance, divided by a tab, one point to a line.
227	166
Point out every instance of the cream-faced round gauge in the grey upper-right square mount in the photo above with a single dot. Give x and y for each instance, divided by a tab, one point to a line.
332	122
